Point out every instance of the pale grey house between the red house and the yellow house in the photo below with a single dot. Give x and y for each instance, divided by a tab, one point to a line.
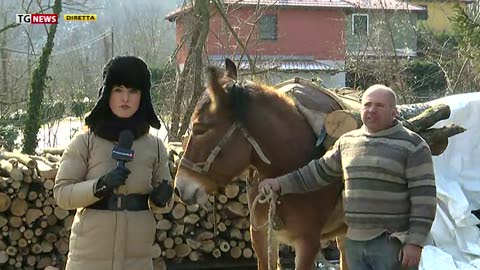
381	28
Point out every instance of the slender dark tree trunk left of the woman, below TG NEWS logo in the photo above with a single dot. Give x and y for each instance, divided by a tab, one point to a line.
32	124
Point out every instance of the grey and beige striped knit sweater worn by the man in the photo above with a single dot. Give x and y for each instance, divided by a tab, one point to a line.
389	180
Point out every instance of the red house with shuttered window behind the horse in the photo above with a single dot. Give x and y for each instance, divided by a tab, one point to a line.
303	38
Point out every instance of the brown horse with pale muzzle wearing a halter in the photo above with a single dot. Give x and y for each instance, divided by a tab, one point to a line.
236	125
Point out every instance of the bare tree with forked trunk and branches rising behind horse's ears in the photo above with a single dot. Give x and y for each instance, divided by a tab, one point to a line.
196	24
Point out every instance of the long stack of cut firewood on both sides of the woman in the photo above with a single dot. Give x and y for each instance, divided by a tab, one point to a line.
35	231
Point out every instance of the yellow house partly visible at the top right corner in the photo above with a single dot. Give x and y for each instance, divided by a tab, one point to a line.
438	13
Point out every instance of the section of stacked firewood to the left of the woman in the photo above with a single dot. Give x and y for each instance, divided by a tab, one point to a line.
34	230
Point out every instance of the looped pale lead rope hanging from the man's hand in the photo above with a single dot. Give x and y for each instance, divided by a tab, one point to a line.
266	195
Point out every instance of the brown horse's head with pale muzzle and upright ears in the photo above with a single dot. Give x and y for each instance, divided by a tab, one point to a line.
218	149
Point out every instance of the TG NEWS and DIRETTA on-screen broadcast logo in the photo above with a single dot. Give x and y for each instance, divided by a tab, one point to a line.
53	18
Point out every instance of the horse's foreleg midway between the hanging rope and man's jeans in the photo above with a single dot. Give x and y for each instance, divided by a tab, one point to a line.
305	254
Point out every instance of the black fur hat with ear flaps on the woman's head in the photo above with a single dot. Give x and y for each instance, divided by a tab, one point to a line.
131	72
